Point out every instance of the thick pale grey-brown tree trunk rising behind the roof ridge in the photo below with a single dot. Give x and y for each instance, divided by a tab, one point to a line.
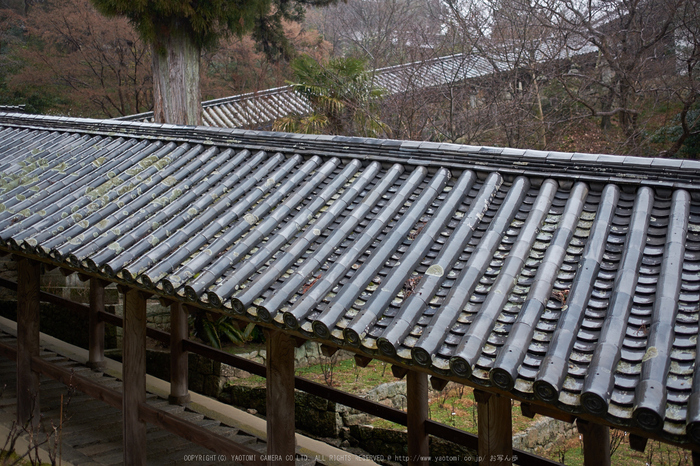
176	95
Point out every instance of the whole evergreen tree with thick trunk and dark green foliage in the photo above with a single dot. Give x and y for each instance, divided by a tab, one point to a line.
178	30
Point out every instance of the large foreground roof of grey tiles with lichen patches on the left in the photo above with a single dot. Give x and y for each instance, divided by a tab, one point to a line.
570	279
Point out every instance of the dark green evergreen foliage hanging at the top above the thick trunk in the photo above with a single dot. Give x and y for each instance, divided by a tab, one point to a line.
205	21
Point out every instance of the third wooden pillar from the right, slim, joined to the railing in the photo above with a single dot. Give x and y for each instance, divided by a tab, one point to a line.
417	397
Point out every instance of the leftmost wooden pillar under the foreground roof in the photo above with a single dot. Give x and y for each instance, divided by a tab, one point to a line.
29	274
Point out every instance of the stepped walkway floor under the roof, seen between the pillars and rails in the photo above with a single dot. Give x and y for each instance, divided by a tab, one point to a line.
91	433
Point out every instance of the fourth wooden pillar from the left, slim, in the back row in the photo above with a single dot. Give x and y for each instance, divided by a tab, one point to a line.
179	331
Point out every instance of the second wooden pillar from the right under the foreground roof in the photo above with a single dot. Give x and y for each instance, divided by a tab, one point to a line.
495	429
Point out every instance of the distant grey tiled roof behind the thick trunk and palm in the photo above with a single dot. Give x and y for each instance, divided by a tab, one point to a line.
260	109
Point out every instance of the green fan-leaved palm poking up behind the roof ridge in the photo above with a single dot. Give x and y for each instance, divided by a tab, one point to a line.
343	97
